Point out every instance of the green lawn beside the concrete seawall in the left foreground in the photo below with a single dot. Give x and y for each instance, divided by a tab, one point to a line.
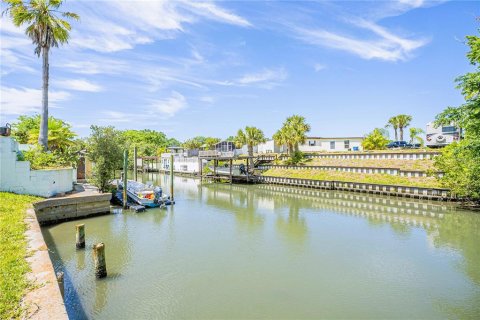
13	251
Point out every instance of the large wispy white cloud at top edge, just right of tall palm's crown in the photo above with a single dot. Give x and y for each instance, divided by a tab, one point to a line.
131	23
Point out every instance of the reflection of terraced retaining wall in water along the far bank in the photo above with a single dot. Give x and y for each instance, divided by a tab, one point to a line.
415	213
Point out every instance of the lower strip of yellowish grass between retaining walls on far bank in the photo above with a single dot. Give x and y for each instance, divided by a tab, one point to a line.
426	182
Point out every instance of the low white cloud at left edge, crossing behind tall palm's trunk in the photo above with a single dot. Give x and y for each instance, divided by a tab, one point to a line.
27	100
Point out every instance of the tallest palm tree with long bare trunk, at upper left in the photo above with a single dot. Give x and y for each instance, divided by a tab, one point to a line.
46	30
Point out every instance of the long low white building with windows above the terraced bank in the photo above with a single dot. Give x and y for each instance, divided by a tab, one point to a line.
319	144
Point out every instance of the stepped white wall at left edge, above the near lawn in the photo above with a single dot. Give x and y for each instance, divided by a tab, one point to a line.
16	176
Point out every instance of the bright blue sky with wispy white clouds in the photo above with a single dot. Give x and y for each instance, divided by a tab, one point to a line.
192	68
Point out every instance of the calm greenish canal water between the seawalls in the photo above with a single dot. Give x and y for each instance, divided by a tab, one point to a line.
272	252
